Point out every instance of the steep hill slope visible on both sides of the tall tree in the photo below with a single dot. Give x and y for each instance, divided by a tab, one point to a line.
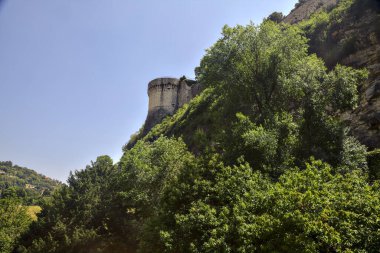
340	32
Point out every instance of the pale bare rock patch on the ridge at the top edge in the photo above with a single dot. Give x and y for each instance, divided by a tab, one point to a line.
308	7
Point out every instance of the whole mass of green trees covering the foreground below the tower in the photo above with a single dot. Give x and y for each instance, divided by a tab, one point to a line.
260	161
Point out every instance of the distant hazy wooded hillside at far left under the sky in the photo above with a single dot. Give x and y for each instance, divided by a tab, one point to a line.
31	187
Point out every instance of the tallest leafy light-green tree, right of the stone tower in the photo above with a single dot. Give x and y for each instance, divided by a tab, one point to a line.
265	73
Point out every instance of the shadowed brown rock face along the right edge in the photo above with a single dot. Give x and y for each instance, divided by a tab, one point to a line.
365	31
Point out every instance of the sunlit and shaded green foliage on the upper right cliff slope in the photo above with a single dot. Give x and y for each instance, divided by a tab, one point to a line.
324	29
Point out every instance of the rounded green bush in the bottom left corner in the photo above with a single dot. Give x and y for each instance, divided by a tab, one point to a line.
14	221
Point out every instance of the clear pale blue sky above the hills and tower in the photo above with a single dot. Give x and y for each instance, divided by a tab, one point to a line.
74	73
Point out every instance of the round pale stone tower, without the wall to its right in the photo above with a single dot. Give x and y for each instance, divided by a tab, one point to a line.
163	100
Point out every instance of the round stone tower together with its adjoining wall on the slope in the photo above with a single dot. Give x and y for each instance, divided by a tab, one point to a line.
166	95
